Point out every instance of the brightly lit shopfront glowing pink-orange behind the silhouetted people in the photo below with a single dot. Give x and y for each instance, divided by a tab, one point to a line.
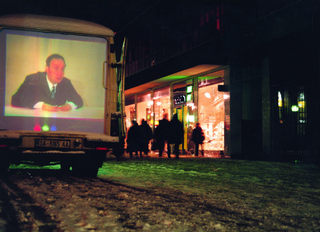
193	98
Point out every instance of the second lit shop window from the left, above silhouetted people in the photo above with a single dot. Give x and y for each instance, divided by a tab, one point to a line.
144	108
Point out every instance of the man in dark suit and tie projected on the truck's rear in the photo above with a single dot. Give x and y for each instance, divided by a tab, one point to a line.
48	90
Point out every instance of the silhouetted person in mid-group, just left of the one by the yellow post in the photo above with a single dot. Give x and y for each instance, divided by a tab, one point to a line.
161	134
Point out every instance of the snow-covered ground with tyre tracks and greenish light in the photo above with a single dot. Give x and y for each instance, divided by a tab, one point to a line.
152	194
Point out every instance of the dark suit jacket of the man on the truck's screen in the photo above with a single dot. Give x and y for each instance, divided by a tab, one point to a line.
35	89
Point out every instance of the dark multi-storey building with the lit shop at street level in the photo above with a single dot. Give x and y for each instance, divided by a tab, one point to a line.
248	71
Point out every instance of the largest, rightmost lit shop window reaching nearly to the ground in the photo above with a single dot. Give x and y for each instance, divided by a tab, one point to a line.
211	110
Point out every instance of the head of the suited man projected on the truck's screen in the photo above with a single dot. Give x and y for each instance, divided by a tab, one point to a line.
55	65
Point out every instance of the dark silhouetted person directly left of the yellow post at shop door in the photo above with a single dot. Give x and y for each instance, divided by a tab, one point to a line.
175	134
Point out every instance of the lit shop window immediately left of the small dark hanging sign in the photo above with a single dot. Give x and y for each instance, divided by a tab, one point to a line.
161	99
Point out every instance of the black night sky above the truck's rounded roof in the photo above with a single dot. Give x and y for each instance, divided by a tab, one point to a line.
115	14
